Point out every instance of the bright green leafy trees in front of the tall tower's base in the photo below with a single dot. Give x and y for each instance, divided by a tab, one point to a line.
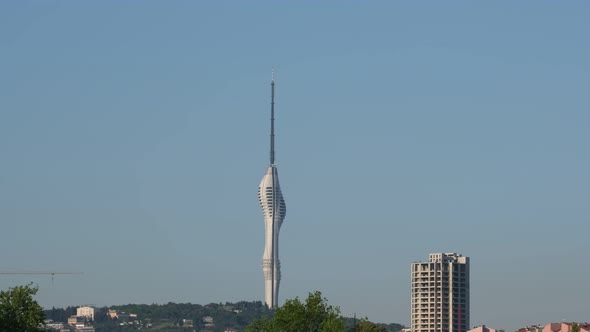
315	315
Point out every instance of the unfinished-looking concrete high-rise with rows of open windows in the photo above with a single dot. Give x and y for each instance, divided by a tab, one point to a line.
440	294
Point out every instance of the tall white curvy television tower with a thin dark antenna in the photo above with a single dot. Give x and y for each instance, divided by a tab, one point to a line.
274	210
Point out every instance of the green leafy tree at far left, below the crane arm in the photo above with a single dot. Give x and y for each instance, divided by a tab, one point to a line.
18	310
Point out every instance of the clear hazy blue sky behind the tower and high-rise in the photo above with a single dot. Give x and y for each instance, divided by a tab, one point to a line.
133	136
